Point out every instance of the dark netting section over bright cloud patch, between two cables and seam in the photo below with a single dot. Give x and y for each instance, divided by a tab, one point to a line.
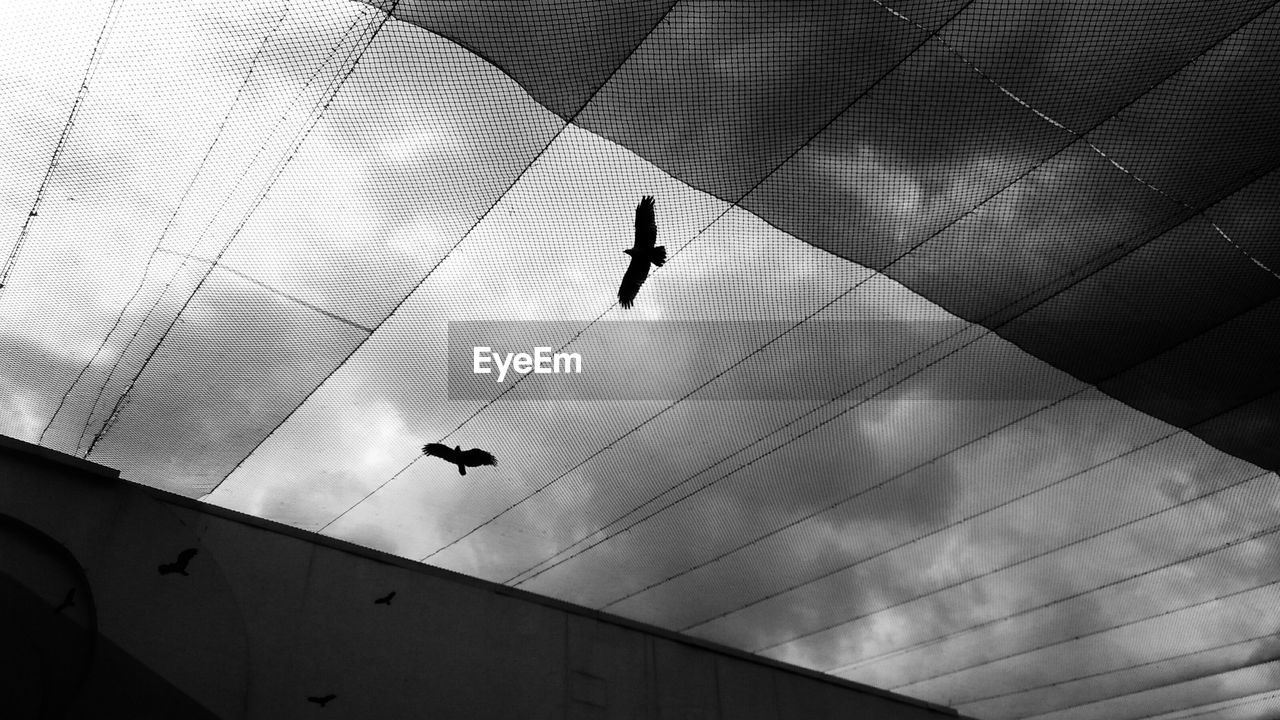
926	145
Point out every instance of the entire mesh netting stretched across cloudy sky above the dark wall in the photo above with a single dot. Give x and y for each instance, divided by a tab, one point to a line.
959	379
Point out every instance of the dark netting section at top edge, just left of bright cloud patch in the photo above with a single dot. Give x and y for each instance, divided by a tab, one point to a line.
721	94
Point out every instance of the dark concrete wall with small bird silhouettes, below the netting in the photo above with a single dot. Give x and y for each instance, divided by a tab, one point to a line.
269	617
